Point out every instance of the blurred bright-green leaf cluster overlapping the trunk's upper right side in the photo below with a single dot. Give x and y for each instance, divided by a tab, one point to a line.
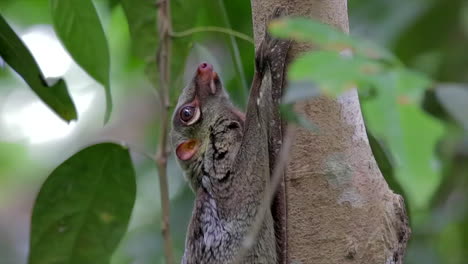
392	115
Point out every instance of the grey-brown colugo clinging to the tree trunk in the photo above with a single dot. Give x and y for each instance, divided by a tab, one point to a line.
227	159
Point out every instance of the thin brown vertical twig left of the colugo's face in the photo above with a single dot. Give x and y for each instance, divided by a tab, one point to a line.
163	62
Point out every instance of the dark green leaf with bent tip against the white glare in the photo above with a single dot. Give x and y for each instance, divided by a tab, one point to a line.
14	52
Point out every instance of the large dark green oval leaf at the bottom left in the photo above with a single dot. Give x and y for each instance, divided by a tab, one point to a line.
83	209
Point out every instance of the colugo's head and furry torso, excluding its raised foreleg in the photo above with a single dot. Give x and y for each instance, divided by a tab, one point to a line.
227	194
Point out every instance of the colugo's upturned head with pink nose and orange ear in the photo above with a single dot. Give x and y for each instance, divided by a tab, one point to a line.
201	104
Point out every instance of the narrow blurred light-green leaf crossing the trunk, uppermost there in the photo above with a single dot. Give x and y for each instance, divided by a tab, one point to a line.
327	37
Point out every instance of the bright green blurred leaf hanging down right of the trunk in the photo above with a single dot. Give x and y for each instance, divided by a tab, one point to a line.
410	134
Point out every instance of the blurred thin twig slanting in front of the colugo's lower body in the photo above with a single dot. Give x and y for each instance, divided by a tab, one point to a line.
283	159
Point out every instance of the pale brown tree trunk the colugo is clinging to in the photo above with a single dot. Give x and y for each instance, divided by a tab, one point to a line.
340	209
